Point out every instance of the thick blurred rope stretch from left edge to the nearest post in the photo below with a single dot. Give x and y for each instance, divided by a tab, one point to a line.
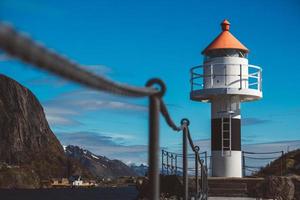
29	51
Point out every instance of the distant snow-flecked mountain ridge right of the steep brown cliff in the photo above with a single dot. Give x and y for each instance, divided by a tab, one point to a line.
99	166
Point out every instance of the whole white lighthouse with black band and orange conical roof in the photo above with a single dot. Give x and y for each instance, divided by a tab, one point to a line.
225	80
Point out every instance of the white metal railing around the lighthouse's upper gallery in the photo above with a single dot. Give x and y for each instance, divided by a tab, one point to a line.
254	77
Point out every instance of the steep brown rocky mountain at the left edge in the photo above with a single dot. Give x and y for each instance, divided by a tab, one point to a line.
29	151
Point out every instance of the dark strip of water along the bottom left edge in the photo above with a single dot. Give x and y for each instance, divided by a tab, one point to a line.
121	193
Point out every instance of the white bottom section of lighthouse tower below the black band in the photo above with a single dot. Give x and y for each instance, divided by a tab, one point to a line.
228	164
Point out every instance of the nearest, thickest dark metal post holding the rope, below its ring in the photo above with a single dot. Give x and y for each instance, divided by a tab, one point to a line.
154	107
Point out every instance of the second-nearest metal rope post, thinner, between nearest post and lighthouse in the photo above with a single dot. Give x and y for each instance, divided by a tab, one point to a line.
184	164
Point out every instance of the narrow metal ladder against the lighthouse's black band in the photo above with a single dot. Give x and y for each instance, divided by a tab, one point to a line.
226	134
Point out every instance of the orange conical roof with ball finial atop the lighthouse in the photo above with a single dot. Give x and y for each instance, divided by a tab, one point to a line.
225	40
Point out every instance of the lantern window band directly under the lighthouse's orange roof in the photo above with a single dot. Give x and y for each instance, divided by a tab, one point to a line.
226	53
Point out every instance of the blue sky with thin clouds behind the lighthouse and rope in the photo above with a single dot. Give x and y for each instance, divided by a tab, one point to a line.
132	41
